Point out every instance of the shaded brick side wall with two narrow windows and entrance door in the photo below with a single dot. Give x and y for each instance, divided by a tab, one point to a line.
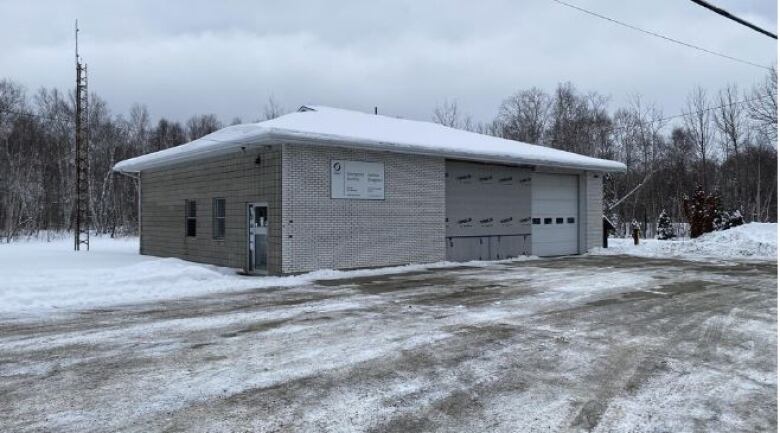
238	180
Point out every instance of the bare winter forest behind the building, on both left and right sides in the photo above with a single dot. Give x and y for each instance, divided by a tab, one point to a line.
724	141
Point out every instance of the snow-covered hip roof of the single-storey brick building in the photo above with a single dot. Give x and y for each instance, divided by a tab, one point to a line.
317	125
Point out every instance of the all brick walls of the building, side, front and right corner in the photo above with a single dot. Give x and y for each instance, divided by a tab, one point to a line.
307	229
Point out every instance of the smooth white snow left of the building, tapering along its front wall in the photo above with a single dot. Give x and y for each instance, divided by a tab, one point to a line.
39	277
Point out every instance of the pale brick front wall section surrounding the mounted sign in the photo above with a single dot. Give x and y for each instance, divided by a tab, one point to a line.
319	232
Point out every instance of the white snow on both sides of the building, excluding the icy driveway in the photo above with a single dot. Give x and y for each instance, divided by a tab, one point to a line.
41	277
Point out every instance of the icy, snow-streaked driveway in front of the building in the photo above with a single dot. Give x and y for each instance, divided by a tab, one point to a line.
594	343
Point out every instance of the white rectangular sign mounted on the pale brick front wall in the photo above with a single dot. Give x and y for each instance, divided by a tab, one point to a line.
357	179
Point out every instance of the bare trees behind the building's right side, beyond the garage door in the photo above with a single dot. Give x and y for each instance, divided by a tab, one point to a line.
725	142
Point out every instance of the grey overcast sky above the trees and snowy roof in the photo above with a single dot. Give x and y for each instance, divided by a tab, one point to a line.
228	57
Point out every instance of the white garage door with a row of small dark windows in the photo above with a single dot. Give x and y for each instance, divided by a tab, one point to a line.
554	214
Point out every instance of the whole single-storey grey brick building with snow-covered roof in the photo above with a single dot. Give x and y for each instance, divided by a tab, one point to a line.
330	188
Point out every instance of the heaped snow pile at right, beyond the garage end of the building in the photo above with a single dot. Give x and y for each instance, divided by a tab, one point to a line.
757	241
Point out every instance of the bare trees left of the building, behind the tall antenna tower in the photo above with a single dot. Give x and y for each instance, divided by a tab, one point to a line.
37	149
